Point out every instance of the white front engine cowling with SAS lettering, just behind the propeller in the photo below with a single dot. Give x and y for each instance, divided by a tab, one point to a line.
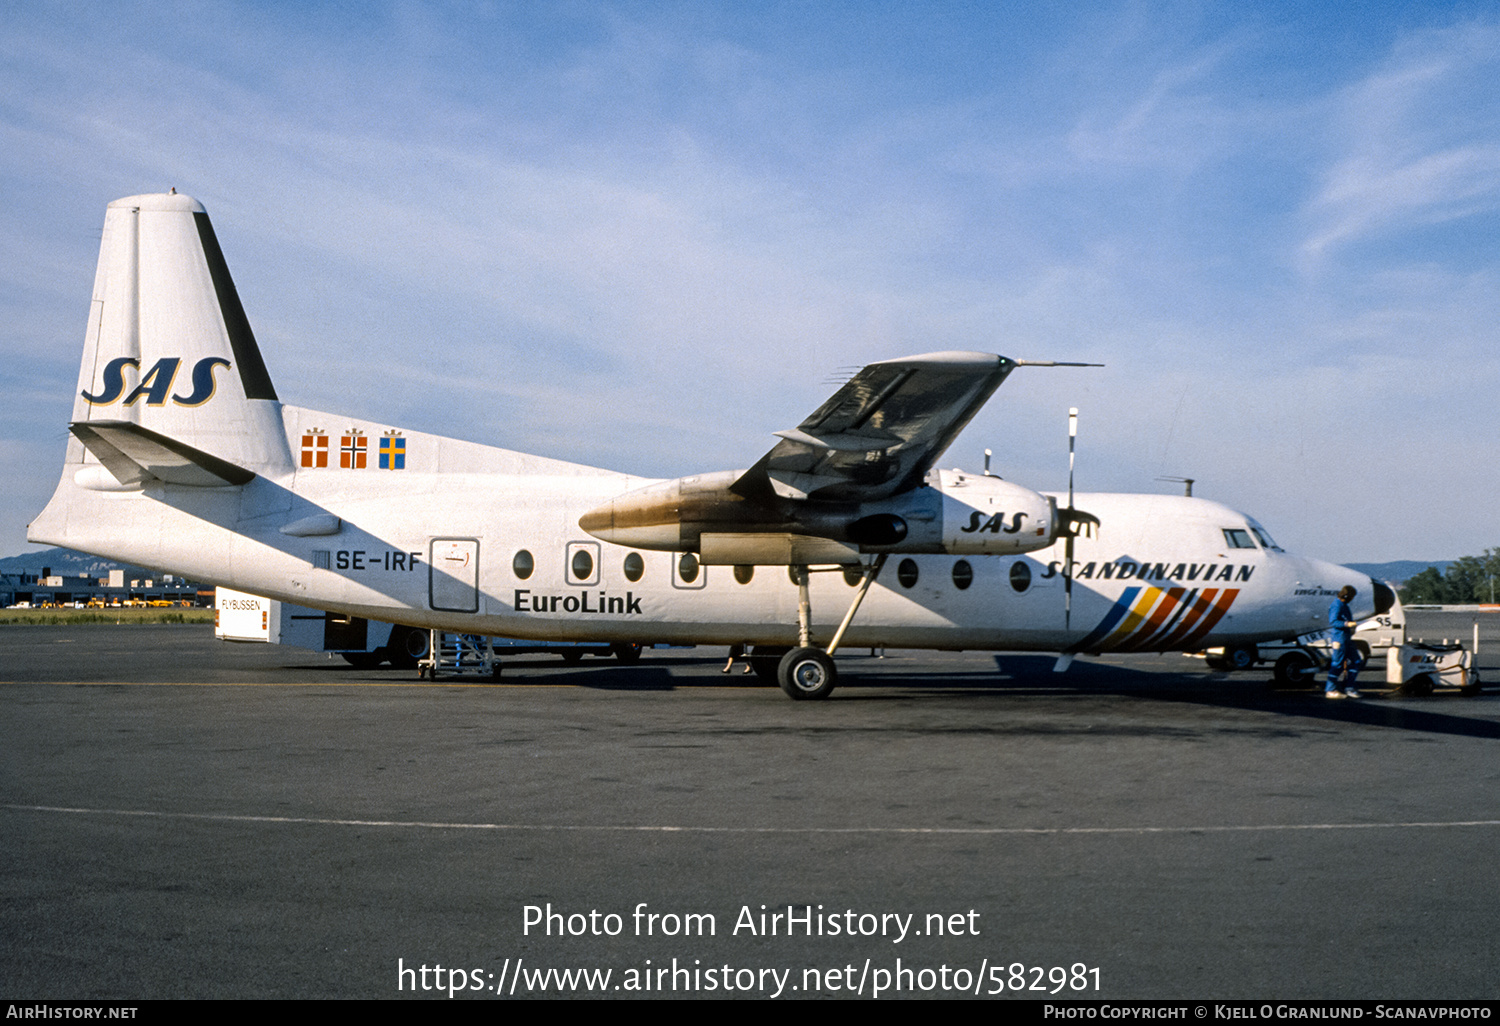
994	517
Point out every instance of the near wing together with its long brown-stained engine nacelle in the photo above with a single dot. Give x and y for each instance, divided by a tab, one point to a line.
848	481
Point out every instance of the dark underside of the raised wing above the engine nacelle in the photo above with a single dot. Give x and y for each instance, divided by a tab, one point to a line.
881	433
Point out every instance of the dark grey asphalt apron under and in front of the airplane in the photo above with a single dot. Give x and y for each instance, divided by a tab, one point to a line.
182	818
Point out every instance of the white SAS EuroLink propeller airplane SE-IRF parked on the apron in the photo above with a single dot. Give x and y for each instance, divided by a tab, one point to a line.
182	458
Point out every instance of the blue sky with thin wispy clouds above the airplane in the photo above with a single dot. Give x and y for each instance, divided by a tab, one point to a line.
649	235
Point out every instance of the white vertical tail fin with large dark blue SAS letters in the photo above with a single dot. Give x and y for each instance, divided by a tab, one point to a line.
169	352
